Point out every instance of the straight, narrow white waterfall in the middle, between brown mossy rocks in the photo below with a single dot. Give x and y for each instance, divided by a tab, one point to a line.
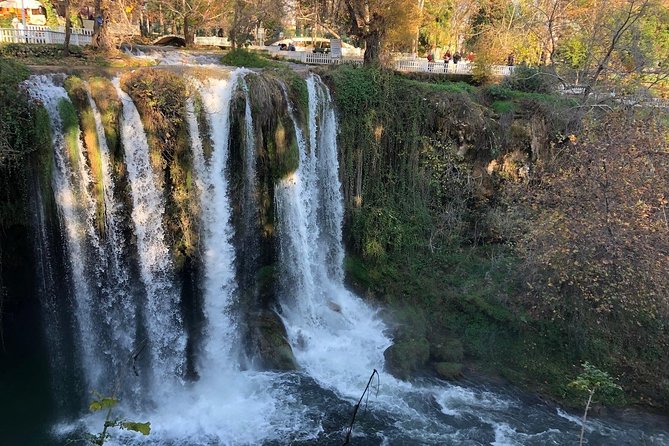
220	338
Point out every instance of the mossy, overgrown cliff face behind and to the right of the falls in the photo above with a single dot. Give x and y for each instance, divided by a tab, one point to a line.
451	193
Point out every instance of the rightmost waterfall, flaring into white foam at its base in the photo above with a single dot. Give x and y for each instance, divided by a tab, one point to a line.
335	336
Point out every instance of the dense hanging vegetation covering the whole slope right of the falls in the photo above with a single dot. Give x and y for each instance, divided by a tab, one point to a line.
440	194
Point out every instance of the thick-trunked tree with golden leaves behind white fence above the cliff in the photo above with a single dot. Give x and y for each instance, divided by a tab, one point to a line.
380	23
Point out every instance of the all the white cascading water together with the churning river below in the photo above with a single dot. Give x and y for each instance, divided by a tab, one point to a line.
337	339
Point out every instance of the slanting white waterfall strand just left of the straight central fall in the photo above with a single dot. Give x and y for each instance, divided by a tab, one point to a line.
165	339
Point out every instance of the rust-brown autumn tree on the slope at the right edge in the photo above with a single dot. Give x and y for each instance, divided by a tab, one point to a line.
596	245
